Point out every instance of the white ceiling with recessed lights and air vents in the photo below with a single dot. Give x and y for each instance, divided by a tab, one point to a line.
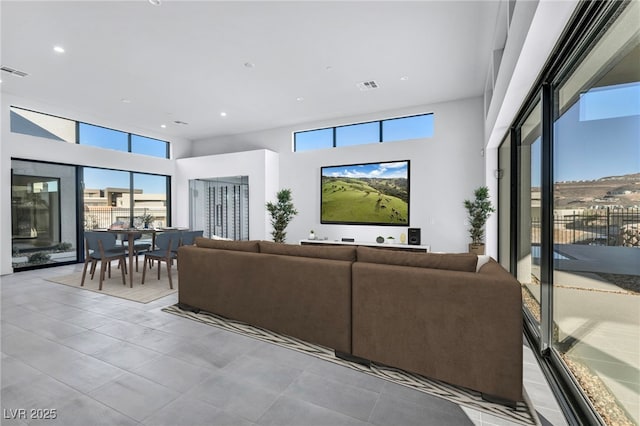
185	60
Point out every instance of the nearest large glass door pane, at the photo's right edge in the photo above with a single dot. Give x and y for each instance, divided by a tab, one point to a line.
596	238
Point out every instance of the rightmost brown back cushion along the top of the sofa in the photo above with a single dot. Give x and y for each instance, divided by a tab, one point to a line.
465	262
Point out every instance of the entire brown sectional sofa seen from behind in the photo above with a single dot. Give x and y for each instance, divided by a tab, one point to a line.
431	314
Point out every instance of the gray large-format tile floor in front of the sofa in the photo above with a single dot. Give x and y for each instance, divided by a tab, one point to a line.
99	360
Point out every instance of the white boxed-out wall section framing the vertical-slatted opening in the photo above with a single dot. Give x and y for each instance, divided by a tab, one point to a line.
260	165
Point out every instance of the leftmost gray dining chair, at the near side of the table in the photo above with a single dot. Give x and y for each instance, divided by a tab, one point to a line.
101	246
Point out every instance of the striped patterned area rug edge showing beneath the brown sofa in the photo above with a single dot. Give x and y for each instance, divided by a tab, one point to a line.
521	414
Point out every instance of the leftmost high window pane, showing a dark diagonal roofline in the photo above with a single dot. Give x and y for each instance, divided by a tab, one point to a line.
42	125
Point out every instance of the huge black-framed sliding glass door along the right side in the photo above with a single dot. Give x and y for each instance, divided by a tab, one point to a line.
576	243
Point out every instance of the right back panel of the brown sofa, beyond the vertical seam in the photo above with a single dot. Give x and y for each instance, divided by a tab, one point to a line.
464	328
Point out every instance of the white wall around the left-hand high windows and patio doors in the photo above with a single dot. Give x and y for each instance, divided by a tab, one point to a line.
35	148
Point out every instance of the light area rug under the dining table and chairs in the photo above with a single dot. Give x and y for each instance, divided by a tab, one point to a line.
151	290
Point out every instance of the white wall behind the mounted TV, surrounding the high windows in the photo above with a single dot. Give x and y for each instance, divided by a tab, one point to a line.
444	171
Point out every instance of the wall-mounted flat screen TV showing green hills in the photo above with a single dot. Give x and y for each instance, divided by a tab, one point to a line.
365	194
